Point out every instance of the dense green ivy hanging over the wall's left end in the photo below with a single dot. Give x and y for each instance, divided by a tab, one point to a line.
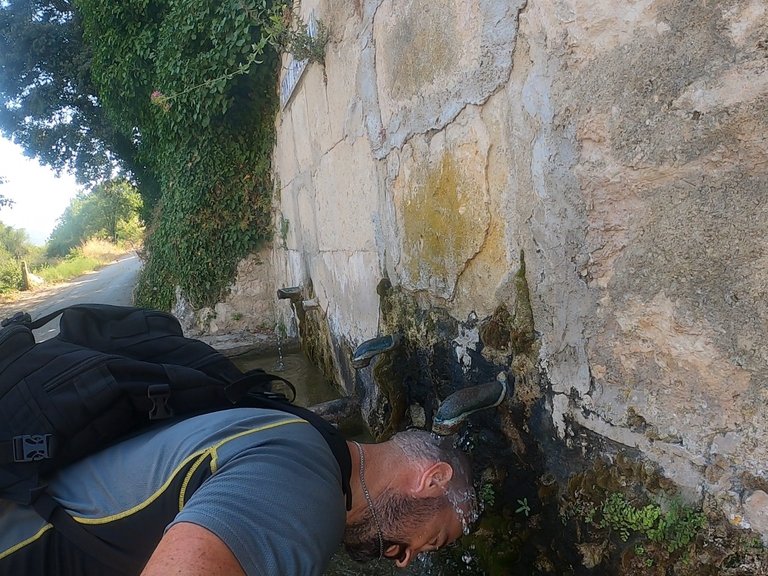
195	83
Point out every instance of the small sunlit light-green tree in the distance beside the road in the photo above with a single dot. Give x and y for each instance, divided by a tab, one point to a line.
103	212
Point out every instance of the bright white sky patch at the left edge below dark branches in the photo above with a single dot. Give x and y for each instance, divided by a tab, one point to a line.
40	196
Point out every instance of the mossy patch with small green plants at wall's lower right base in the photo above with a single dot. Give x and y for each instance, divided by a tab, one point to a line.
627	508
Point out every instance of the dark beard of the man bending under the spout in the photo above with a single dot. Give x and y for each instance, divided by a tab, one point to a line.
397	515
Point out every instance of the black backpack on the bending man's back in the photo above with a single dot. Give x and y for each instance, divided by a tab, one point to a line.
110	371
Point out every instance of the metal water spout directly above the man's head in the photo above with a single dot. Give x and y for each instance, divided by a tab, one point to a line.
455	409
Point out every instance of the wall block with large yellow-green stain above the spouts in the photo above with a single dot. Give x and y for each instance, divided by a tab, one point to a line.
442	205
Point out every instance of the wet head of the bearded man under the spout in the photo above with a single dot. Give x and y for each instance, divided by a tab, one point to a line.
426	499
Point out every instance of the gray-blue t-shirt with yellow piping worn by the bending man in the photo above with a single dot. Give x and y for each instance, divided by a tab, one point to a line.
274	495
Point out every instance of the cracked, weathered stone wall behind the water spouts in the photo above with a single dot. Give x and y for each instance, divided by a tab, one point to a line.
621	147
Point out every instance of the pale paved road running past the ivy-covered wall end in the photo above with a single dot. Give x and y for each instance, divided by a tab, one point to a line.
113	284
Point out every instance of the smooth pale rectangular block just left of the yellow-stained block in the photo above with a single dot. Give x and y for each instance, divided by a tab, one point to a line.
347	200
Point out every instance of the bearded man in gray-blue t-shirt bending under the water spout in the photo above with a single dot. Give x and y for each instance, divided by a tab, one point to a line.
244	492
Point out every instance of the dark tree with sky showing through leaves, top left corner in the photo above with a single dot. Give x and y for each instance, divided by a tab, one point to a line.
48	103
